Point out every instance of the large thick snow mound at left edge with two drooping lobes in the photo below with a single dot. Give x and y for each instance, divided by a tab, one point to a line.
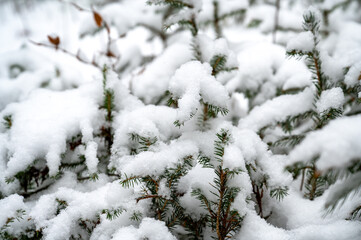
43	123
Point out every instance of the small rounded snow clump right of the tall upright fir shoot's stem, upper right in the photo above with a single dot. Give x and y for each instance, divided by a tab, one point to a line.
332	98
